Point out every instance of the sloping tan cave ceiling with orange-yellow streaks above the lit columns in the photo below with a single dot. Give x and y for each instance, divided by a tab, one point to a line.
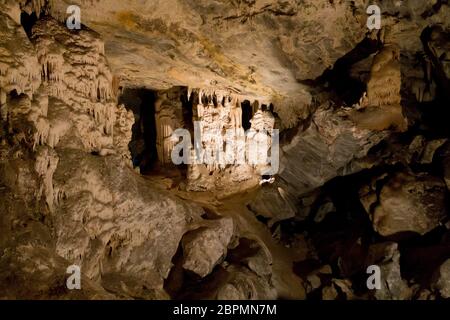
202	43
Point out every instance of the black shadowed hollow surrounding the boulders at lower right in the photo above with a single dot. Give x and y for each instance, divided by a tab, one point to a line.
342	238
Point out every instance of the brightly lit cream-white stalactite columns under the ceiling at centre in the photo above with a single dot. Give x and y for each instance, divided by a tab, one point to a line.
225	151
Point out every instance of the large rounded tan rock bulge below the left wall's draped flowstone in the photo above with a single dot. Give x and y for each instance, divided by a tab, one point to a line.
110	221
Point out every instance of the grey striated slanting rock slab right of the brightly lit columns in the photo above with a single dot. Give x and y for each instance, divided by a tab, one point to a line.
330	146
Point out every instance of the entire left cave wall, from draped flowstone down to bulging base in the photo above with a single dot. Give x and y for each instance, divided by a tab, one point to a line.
96	212
